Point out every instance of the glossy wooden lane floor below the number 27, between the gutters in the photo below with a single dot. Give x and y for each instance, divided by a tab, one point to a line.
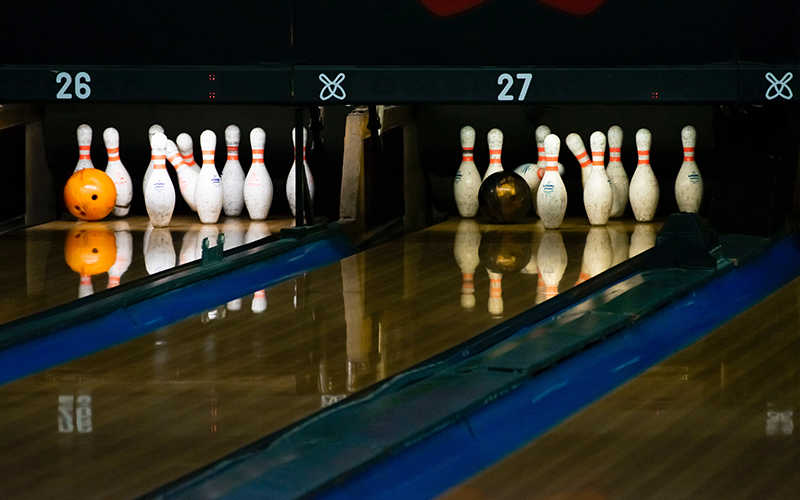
124	421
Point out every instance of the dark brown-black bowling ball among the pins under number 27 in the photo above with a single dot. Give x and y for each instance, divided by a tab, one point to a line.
504	197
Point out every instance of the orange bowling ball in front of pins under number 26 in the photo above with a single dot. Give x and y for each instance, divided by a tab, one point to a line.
90	194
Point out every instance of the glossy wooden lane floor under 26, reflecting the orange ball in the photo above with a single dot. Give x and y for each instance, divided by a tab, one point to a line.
37	272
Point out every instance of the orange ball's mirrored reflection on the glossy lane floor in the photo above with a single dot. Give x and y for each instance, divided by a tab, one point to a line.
90	249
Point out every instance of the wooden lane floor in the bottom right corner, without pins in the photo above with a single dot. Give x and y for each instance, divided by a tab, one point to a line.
717	420
